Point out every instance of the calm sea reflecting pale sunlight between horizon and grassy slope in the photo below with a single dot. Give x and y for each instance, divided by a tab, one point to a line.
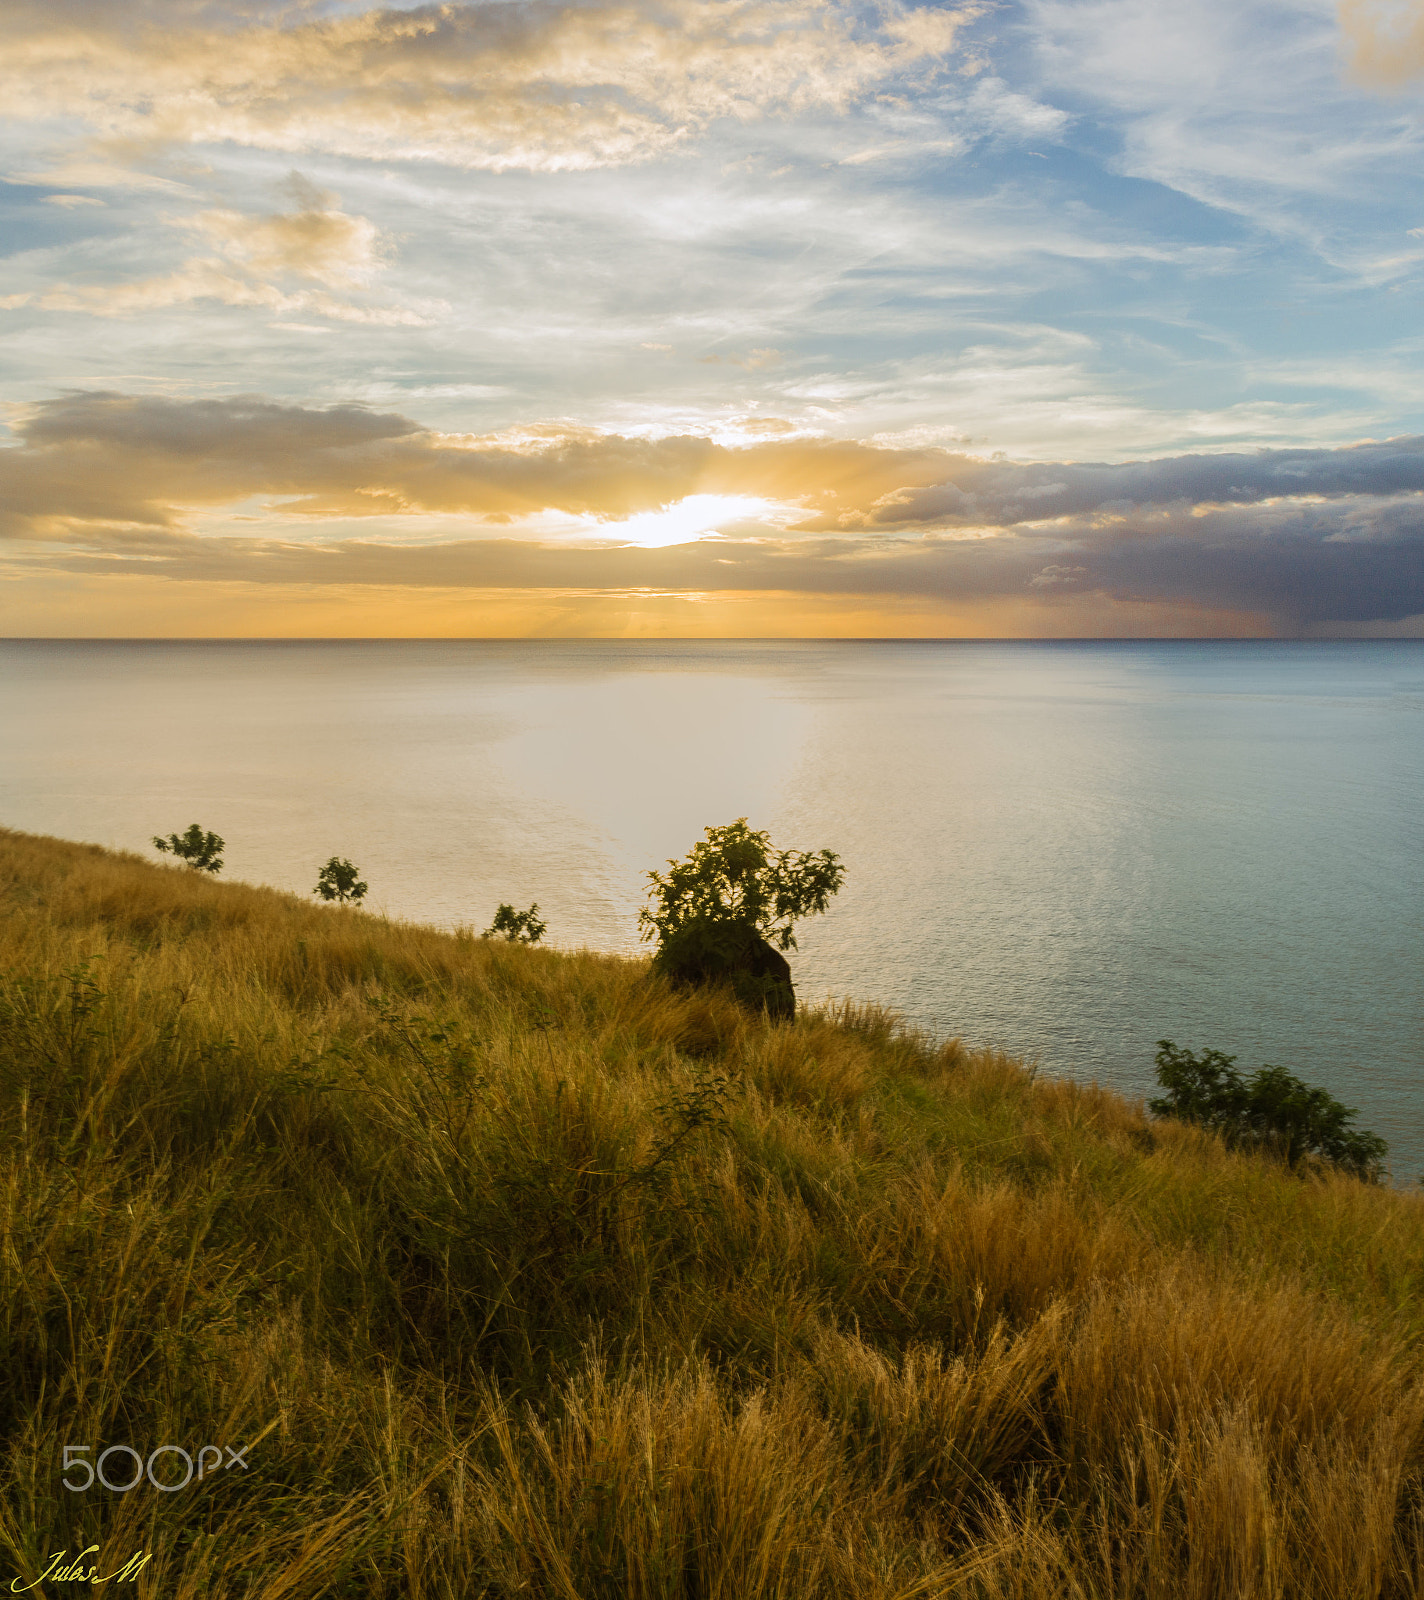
1066	850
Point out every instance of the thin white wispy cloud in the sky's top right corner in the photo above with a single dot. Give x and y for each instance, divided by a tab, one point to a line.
1182	94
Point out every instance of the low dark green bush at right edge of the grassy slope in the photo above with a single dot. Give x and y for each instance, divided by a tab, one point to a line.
1271	1110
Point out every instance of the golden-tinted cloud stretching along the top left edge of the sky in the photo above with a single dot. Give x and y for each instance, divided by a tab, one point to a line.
535	86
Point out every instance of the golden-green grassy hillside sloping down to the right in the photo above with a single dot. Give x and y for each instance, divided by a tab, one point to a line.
519	1274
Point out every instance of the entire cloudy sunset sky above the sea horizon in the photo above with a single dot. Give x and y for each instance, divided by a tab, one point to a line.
713	319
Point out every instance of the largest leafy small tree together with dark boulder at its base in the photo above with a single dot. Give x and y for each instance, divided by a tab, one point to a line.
727	910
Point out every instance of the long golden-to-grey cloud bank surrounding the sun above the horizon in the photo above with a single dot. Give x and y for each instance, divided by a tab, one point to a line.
114	486
